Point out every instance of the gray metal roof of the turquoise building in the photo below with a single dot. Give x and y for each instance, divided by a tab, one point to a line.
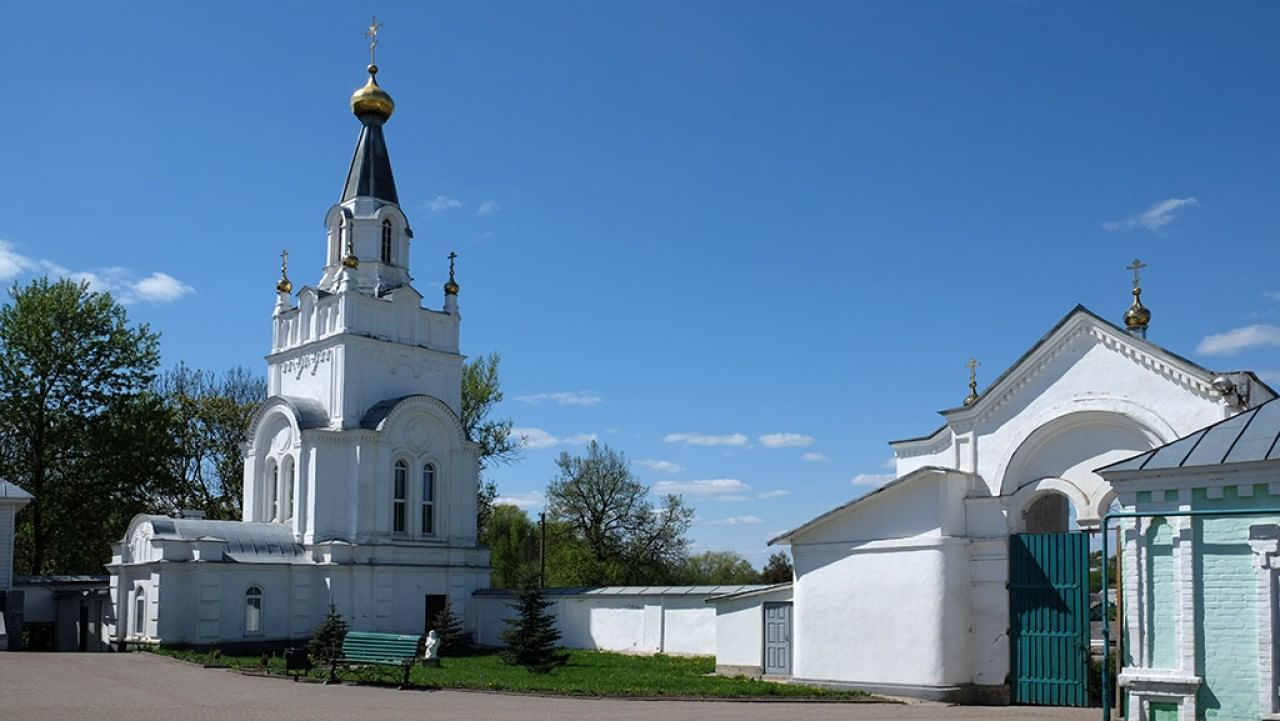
1249	437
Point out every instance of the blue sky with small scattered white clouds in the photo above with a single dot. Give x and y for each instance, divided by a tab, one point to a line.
721	238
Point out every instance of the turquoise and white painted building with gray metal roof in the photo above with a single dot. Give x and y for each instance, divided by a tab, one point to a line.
1200	594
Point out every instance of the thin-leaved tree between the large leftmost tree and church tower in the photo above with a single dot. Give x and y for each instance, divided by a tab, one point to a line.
211	414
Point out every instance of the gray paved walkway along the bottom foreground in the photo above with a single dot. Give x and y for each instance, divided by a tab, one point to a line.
138	687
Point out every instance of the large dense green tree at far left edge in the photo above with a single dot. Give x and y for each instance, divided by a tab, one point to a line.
80	427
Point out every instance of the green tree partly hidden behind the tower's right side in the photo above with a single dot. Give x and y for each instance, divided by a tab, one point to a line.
482	391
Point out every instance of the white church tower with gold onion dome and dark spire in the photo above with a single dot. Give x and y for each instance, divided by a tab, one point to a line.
360	485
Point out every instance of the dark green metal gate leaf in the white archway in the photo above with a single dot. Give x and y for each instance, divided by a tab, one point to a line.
1049	619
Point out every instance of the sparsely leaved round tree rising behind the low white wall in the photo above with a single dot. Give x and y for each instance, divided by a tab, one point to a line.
629	540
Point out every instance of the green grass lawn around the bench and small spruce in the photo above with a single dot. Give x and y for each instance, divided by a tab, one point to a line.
588	673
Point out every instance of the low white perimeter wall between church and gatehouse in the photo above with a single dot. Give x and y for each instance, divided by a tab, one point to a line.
628	624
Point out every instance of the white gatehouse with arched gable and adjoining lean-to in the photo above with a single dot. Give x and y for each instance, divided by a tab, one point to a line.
904	590
